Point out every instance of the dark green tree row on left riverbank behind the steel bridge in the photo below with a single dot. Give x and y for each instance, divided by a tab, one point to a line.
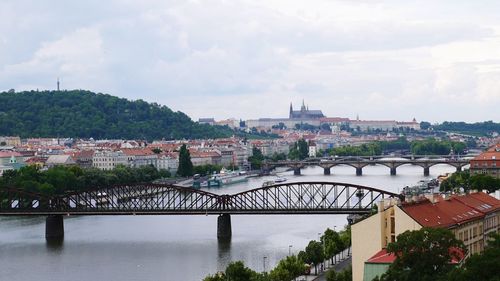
61	179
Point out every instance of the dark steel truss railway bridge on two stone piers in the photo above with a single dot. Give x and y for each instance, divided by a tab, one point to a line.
161	199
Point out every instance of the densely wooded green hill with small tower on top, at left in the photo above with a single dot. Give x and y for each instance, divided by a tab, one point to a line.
86	114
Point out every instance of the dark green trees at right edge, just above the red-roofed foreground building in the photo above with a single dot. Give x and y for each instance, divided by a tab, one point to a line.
463	181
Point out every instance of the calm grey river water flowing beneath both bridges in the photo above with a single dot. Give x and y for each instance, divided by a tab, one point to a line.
177	247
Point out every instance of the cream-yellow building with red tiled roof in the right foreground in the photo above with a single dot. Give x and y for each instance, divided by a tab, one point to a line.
470	217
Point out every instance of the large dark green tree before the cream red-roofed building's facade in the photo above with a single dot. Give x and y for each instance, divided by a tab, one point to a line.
423	255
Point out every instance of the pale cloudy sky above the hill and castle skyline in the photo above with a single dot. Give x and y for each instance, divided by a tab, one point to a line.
381	60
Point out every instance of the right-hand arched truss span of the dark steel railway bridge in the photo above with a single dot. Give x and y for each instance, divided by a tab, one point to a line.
308	198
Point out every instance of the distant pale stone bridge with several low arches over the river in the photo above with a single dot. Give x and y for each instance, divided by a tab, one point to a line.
359	162
